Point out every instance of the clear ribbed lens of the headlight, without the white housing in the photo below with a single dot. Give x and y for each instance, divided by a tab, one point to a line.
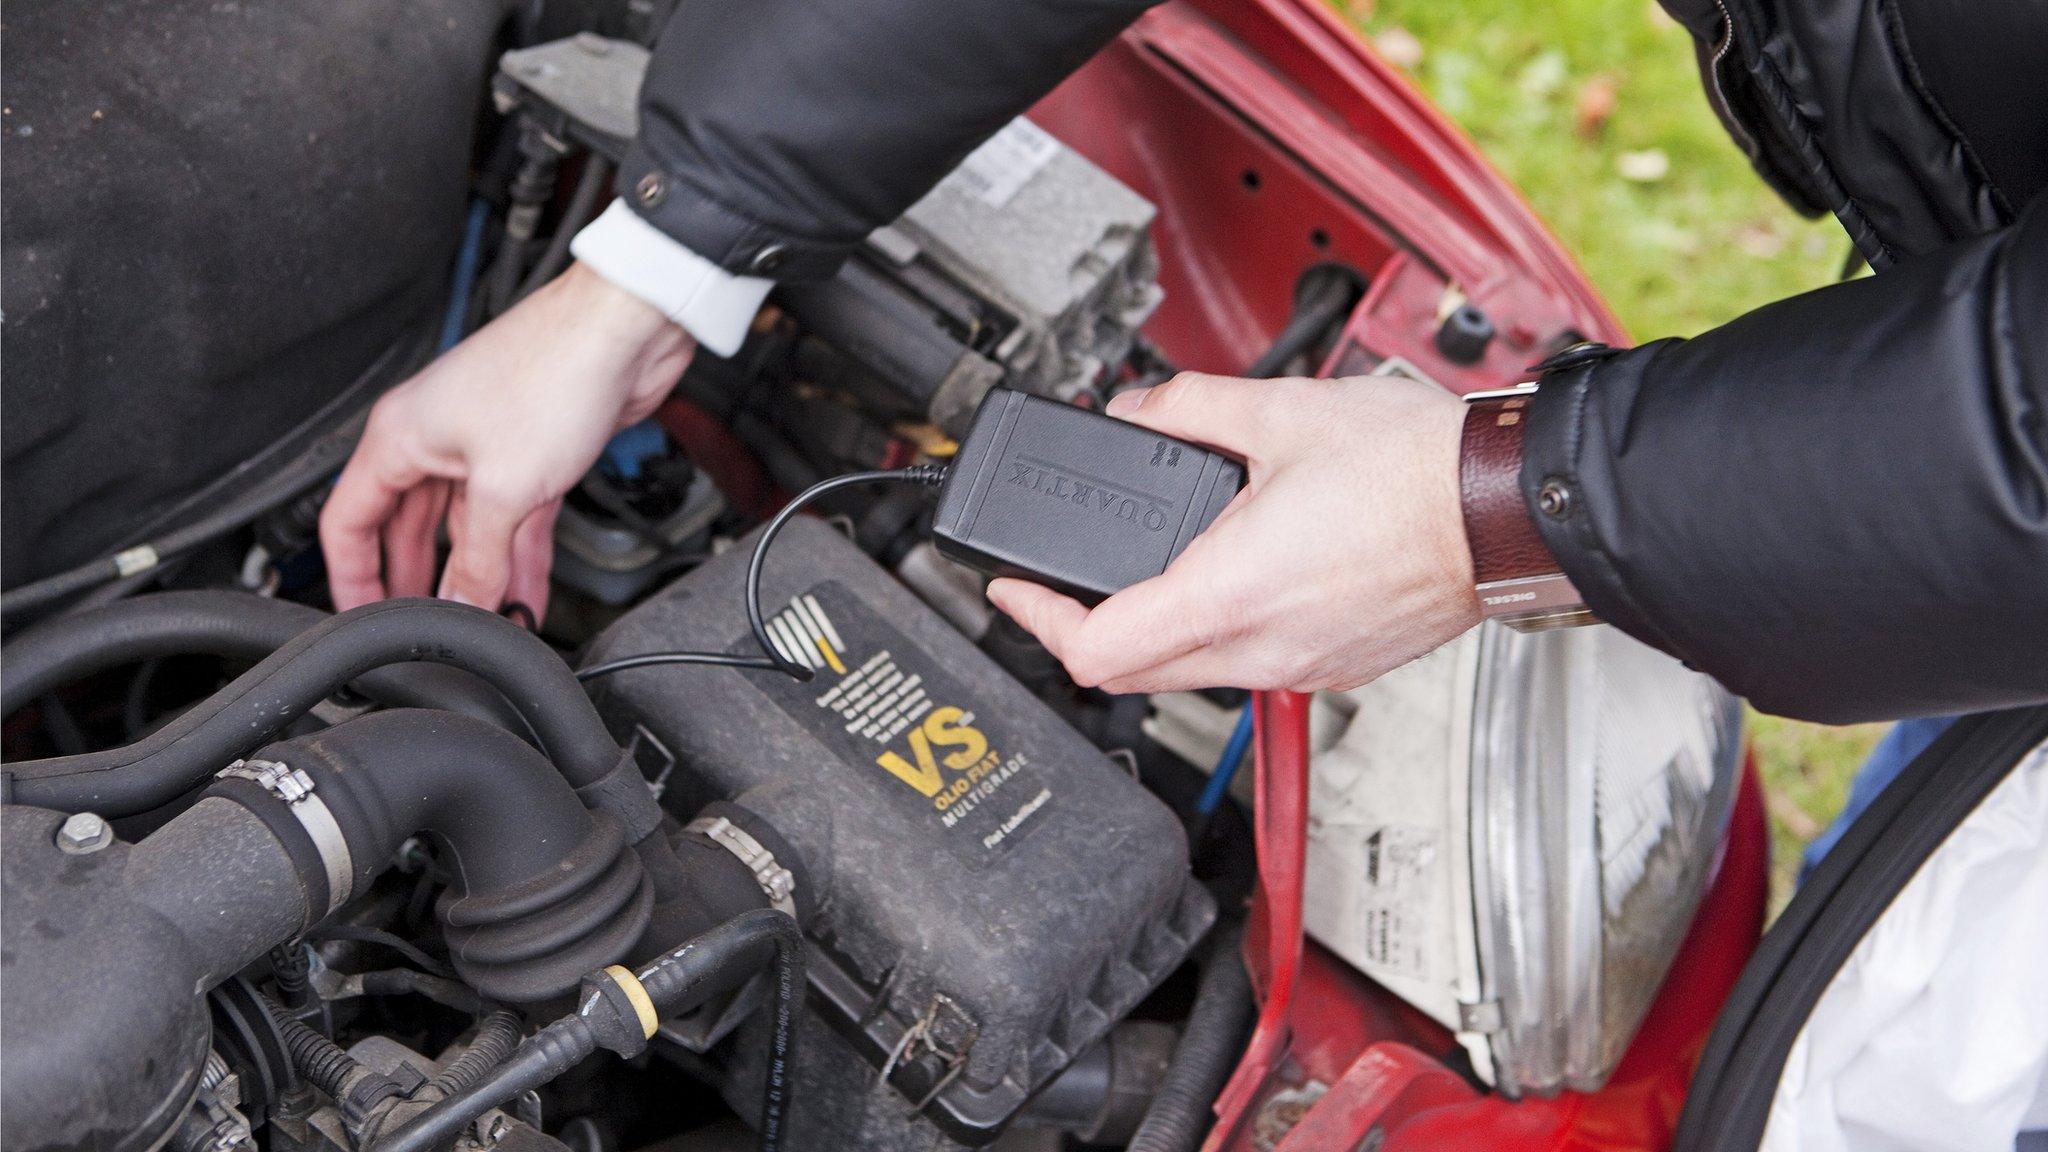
1603	776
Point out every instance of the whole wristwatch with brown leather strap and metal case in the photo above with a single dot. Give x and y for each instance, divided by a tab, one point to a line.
1519	581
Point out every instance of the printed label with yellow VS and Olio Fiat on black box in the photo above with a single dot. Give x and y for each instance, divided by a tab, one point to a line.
898	718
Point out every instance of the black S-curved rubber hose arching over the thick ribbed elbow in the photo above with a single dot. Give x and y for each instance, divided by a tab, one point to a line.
306	671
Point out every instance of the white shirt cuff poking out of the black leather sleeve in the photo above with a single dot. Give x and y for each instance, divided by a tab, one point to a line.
712	304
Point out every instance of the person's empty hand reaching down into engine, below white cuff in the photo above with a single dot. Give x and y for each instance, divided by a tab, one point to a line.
493	436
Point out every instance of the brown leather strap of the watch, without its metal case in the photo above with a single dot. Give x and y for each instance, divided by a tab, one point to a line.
1498	524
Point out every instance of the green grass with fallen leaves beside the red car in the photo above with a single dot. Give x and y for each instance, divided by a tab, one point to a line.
1674	255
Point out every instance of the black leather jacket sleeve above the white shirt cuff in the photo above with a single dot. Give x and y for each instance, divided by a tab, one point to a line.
738	163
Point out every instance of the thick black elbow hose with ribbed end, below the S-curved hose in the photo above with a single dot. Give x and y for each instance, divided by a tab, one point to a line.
544	889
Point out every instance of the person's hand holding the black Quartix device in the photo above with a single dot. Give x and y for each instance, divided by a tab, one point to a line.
1340	561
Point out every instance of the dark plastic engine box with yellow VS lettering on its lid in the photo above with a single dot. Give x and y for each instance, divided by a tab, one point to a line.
994	893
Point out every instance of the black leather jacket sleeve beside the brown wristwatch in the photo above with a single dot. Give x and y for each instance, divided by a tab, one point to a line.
1838	505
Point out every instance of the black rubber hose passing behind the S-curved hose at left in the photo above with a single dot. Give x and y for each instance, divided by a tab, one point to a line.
237	626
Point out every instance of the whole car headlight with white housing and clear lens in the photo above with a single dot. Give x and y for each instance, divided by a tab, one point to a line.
1514	835
